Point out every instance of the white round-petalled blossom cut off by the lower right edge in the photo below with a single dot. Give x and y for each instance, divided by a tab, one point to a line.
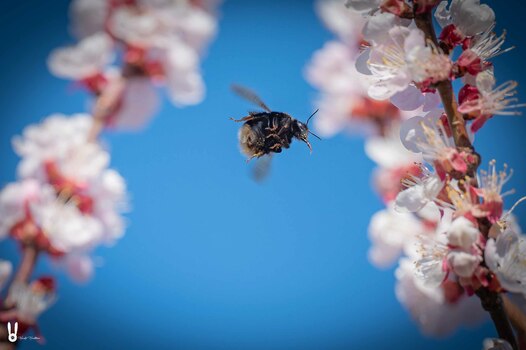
506	257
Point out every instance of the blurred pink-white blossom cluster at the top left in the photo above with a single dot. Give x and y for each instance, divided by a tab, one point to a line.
128	47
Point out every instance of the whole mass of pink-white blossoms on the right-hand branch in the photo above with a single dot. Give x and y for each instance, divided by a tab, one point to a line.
444	222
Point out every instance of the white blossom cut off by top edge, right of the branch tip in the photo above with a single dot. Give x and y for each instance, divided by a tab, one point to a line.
468	16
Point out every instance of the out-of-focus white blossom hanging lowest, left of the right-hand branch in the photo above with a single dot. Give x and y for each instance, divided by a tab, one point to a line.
440	310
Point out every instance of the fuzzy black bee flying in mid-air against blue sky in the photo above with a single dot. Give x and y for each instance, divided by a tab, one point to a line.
267	132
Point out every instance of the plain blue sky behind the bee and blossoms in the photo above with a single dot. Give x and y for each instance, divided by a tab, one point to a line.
211	259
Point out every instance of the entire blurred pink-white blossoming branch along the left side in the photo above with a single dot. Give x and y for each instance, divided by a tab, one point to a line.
66	200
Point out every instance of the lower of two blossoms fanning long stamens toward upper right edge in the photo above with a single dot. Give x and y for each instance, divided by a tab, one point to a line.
488	100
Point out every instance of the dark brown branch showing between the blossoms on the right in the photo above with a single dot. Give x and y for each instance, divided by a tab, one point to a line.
491	301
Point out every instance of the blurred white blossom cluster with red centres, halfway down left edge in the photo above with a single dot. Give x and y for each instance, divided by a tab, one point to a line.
65	186
